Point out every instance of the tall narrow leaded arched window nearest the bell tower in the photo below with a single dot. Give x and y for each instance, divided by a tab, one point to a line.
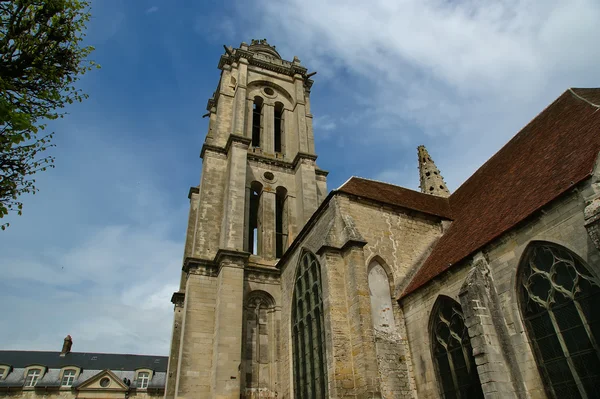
310	373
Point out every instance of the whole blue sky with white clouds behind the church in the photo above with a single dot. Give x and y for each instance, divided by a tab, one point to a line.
98	250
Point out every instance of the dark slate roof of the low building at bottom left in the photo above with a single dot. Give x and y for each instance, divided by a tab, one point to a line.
93	361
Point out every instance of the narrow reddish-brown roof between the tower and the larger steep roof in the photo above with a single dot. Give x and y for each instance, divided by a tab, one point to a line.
397	196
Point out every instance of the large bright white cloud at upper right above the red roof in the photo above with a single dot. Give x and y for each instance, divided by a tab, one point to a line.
469	74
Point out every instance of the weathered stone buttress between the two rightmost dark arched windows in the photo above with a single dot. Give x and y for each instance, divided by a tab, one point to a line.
494	355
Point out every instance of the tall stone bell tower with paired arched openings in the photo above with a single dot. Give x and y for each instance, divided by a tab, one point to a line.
259	186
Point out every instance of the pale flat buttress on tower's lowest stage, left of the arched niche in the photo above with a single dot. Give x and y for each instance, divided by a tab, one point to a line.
227	341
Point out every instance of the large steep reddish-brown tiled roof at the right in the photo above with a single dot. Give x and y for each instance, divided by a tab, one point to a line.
550	155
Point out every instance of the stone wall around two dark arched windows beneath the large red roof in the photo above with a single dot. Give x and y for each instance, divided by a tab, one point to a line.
562	222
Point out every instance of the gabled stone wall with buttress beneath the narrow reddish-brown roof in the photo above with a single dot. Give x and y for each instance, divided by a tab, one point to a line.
347	236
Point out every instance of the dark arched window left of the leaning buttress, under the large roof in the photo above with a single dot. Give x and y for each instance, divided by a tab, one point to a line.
452	351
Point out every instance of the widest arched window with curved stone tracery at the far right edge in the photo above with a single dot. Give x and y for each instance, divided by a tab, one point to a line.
560	302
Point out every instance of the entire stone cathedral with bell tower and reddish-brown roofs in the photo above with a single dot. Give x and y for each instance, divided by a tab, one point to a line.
372	290
